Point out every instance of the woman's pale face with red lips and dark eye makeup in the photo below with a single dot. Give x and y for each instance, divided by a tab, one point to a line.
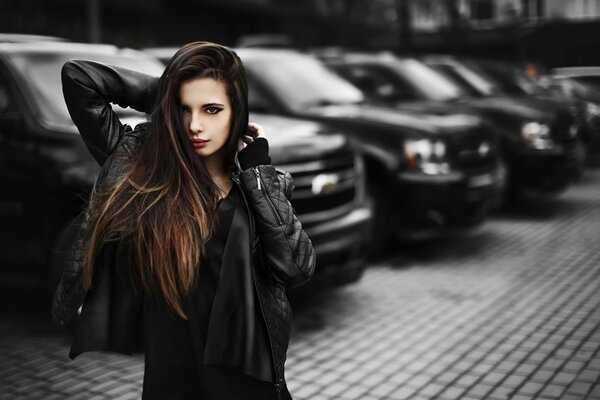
206	115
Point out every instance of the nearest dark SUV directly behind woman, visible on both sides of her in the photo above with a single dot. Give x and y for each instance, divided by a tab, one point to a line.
47	172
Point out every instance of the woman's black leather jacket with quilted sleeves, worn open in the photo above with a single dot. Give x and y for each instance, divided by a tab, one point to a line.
281	255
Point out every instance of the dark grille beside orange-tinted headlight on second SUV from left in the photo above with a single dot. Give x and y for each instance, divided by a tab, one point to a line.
472	150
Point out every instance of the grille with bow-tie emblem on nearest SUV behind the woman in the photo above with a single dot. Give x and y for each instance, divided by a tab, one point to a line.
327	187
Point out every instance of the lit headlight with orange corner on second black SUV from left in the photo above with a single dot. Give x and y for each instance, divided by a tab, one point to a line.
427	156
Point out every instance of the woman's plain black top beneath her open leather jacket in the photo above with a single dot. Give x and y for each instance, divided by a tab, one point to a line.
216	352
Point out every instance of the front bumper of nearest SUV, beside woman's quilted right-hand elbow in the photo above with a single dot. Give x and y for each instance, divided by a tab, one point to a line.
341	245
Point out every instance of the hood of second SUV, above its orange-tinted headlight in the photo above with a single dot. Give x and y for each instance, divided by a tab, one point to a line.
422	121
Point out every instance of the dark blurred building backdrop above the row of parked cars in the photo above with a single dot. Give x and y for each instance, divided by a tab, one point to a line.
554	32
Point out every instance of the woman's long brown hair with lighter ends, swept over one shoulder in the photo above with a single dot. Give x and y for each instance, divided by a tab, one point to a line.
164	204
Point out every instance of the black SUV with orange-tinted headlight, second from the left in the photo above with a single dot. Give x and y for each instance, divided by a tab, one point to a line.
428	173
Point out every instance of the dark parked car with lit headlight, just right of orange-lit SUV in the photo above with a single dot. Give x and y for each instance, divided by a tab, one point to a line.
540	136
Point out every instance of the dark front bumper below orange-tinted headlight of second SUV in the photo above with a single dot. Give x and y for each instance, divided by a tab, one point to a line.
430	205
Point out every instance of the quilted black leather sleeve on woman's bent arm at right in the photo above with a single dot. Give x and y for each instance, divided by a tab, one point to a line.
288	250
